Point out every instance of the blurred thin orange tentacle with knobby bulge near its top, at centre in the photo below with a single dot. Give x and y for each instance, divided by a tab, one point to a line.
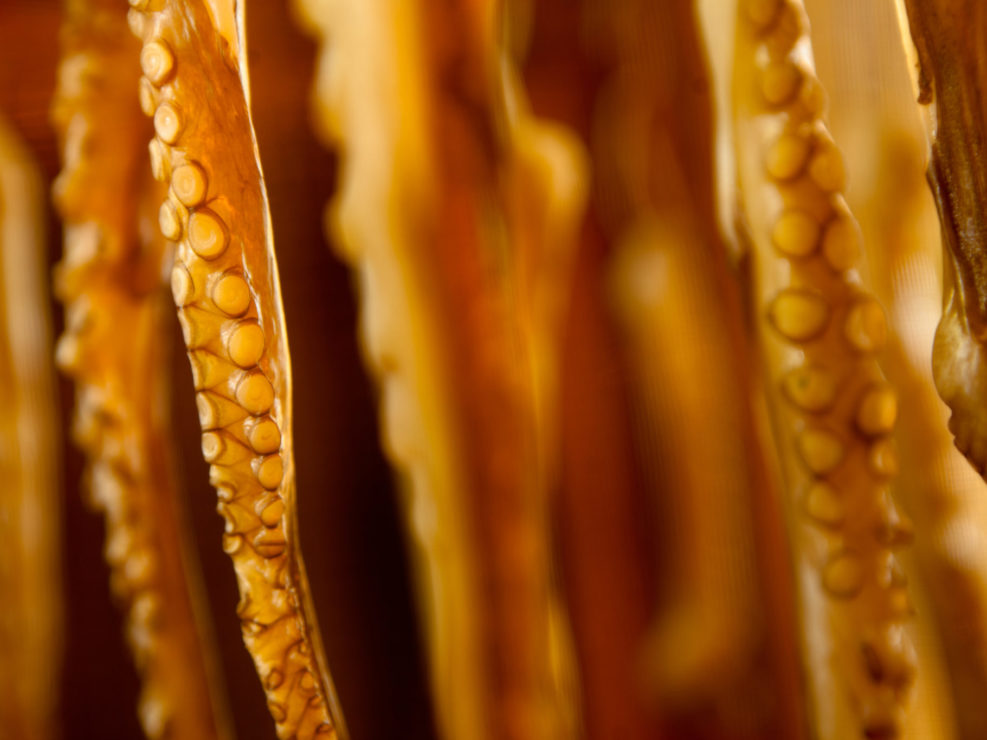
544	194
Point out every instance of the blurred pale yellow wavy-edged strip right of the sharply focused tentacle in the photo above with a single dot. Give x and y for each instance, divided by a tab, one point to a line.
374	224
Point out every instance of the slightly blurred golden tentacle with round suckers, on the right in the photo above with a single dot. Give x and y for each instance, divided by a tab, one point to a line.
833	410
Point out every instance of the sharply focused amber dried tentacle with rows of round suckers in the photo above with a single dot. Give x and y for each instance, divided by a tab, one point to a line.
225	284
